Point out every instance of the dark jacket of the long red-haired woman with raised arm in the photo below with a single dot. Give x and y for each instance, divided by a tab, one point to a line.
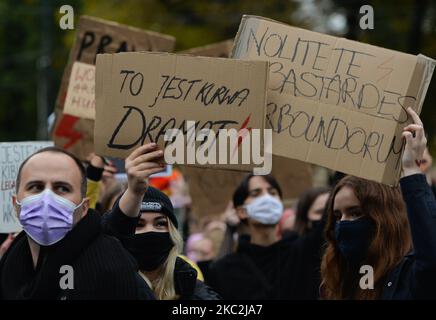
415	276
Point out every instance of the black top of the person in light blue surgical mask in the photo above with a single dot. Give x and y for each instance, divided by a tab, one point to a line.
287	269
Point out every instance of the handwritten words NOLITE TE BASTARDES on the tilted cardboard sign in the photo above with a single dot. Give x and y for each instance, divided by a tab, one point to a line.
341	87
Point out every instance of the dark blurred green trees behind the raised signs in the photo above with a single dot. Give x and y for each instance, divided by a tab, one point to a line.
193	23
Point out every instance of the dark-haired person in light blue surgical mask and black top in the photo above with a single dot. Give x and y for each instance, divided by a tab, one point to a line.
264	267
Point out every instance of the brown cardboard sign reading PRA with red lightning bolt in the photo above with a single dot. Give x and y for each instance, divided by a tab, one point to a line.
95	36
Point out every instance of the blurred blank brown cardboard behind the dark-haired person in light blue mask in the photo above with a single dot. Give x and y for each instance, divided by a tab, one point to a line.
212	189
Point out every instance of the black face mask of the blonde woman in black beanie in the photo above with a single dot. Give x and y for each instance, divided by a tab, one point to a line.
150	249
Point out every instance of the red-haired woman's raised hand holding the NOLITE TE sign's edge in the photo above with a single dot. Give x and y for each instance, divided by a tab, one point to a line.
415	145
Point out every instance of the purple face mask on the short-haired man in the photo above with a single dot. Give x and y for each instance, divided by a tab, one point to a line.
47	217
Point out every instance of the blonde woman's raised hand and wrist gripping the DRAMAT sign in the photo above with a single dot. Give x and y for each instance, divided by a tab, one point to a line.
140	164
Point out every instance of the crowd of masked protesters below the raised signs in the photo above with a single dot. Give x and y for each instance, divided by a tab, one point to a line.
129	235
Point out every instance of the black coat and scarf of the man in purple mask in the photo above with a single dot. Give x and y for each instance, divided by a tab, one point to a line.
101	267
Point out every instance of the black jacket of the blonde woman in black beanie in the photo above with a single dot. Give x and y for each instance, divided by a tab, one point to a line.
116	223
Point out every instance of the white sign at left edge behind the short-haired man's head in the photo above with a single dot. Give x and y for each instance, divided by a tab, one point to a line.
12	154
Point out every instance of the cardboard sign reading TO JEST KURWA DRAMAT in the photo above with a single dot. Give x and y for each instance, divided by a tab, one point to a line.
139	96
